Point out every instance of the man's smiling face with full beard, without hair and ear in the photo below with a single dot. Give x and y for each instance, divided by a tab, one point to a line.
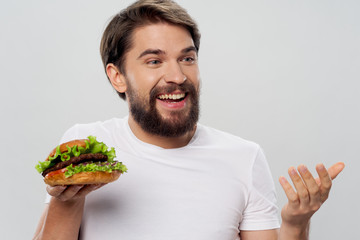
162	78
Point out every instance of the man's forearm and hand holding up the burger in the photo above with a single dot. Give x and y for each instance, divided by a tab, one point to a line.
62	217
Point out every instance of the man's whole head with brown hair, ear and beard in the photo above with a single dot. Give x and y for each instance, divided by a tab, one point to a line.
150	55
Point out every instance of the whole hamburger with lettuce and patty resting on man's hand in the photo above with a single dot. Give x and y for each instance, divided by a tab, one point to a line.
81	161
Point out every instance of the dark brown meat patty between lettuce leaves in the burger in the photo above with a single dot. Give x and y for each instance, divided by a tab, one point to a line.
96	157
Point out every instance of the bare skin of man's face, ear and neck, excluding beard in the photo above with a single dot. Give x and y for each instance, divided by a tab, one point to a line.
161	56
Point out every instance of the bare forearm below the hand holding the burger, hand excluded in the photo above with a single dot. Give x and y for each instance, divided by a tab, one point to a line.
61	220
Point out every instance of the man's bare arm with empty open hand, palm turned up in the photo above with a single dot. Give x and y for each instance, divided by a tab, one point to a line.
310	194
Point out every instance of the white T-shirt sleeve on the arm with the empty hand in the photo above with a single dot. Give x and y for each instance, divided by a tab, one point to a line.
261	212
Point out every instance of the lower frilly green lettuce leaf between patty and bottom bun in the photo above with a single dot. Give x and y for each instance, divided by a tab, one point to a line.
92	167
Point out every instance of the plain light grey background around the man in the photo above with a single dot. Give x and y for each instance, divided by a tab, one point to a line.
281	73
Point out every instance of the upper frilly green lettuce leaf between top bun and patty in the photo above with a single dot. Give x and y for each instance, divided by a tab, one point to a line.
92	146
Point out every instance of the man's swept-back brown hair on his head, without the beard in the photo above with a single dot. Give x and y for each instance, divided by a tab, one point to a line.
117	38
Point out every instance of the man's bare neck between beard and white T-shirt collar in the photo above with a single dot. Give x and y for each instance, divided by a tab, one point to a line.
164	142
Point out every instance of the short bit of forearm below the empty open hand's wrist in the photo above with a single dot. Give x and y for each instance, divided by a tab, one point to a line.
288	232
